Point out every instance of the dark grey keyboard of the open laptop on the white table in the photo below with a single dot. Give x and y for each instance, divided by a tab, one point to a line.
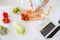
47	29
